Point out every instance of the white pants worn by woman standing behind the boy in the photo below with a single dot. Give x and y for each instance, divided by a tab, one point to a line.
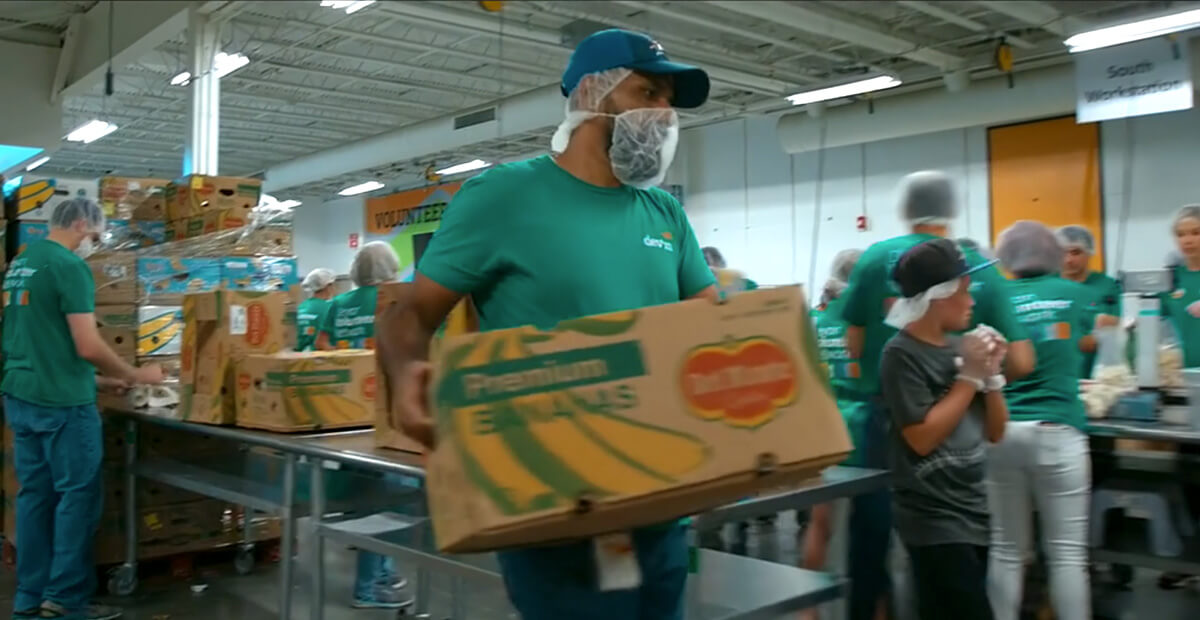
1048	465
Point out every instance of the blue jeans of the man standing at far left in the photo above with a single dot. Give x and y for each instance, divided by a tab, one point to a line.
57	454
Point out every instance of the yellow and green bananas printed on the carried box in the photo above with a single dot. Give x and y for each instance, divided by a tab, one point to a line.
545	450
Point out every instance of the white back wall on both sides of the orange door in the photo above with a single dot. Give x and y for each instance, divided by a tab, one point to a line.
782	219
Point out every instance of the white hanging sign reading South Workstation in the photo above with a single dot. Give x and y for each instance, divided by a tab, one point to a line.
1135	80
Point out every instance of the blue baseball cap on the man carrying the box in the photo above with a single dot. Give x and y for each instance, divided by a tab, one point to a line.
634	51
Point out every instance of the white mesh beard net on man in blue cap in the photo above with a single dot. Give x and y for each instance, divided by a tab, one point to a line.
644	146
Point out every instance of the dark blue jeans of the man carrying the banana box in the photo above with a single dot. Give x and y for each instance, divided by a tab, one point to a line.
555	583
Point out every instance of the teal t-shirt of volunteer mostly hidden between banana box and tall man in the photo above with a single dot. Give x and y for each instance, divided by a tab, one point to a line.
845	375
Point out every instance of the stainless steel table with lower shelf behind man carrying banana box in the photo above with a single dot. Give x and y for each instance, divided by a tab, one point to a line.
725	586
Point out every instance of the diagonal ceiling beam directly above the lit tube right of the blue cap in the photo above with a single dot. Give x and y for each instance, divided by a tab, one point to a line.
801	17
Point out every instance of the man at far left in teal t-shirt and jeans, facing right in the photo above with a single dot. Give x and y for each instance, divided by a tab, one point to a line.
52	352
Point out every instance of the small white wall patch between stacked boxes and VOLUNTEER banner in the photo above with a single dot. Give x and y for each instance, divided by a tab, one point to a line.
322	233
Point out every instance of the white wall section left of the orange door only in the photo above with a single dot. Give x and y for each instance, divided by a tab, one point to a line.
782	219
